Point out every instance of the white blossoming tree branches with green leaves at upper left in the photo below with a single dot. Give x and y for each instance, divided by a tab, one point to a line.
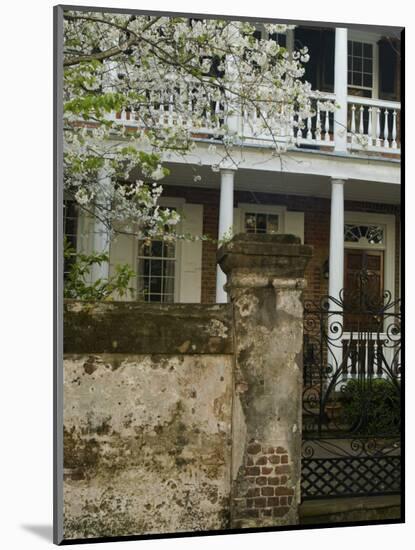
115	63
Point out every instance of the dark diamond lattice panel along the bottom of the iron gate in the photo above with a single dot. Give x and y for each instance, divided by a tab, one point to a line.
350	476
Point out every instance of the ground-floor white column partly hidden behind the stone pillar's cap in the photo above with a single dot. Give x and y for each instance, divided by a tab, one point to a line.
225	225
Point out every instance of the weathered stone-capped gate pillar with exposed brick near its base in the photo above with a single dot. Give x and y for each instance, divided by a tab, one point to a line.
265	280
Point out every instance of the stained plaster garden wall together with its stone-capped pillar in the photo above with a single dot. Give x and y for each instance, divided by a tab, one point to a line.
187	417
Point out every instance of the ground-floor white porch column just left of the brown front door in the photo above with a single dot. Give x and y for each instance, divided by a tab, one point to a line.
336	258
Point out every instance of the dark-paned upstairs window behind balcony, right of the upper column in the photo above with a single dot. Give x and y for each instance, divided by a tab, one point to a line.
360	68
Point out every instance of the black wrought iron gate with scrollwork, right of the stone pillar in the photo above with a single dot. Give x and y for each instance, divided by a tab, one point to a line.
351	397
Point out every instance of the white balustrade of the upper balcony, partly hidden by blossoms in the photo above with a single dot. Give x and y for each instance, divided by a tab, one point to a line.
373	125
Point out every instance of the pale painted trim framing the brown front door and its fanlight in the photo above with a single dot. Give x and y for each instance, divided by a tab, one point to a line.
388	221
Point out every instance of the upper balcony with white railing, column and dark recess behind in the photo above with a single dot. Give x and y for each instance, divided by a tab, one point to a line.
359	72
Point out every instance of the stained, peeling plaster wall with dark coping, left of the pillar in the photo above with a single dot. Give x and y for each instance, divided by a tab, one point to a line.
147	444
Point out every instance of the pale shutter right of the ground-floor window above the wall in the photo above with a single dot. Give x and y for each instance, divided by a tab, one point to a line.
190	258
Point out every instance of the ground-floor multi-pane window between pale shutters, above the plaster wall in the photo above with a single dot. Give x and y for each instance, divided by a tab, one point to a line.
156	271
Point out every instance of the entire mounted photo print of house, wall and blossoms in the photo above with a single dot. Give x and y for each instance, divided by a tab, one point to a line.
228	269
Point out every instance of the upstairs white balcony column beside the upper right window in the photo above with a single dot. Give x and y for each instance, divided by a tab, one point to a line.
340	90
